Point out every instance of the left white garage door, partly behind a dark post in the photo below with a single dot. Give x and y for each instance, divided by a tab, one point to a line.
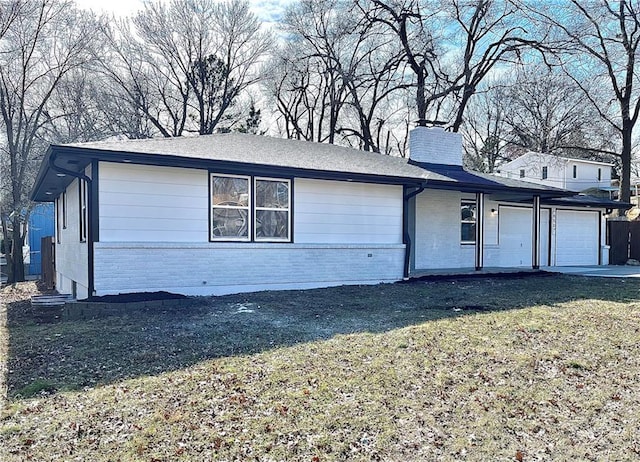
515	240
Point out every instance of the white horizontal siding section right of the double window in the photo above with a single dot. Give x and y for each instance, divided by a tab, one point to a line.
346	212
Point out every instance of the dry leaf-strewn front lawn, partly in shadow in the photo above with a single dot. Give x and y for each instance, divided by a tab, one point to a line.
531	369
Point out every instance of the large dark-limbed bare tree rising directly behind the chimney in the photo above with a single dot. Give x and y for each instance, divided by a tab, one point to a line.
482	34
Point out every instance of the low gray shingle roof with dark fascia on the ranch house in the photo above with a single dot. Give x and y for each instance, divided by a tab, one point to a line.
254	152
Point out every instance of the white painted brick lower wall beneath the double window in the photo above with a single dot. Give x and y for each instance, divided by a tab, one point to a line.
223	268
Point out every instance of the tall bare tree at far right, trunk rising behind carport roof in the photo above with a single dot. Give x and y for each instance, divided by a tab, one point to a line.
598	41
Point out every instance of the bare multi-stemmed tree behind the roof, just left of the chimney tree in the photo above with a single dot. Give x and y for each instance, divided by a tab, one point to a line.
338	77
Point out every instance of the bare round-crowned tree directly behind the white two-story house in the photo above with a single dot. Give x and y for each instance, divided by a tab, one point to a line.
539	109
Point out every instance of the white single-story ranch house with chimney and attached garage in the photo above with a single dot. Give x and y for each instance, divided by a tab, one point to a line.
234	212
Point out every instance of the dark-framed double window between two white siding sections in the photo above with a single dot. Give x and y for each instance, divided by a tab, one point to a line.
245	209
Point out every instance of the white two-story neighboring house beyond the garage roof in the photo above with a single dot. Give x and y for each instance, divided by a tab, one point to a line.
560	172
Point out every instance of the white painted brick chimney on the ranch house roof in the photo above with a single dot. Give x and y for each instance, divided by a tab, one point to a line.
433	145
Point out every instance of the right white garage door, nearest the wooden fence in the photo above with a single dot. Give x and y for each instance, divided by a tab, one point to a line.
577	238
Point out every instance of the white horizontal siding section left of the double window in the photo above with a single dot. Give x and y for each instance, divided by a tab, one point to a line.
153	204
